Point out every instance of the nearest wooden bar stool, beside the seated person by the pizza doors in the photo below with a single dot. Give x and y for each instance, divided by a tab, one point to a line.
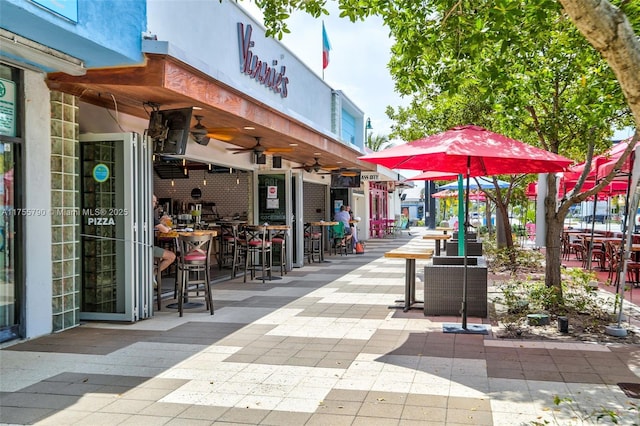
195	258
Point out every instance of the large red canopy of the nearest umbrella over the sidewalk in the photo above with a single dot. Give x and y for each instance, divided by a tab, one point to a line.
487	152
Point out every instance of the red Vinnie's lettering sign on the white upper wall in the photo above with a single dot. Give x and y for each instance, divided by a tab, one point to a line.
258	69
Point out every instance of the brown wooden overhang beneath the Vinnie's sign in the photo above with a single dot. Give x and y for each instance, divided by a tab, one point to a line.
170	84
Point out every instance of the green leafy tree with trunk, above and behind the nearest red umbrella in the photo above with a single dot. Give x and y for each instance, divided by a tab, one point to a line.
530	66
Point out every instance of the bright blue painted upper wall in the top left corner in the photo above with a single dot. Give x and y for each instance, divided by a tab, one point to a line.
108	32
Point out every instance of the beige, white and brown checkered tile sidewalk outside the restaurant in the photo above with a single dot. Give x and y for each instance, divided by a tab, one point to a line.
318	347
